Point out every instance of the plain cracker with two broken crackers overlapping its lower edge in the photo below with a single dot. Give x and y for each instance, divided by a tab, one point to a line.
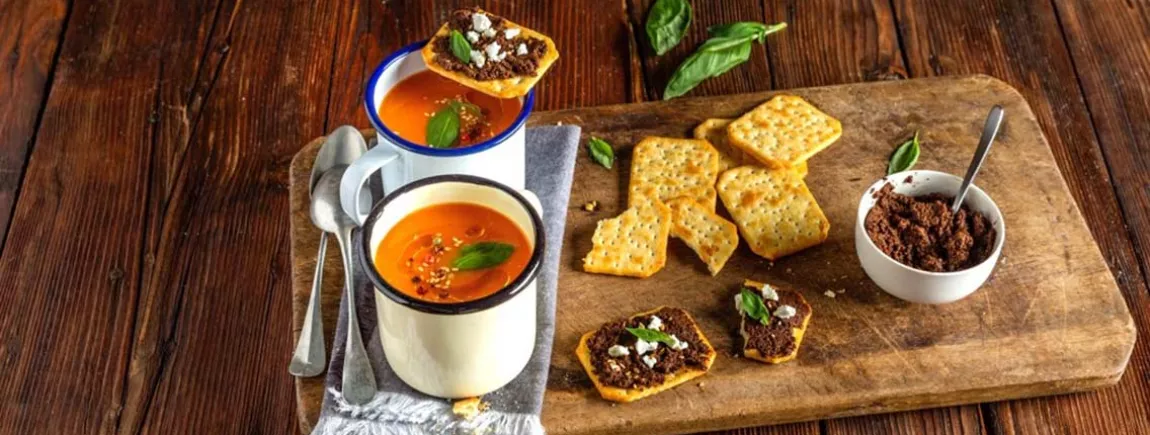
673	169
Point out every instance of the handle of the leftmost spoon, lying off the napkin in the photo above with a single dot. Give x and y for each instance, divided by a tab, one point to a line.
310	357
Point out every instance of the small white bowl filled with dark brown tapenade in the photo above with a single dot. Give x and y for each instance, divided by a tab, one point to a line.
916	249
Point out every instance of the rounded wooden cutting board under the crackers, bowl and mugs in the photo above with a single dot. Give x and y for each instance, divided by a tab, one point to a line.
1051	320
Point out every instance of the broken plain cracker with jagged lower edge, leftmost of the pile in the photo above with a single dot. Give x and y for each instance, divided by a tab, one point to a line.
632	245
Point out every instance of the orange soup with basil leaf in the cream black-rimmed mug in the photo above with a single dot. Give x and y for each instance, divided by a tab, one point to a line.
453	253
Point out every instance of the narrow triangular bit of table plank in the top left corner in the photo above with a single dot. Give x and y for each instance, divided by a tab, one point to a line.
29	39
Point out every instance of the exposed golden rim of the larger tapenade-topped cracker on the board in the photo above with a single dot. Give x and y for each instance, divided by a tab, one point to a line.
627	395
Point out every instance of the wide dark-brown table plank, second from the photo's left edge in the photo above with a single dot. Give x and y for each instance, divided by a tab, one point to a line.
71	268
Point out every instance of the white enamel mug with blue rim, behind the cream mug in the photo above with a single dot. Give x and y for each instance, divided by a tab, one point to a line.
503	158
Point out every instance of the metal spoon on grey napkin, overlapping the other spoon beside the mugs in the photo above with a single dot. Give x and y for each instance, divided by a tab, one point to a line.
359	381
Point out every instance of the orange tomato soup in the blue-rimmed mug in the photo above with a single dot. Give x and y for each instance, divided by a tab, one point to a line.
411	105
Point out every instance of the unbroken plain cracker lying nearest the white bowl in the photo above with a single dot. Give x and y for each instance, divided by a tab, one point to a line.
775	211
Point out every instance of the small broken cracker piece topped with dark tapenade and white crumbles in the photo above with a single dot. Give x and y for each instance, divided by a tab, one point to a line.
778	340
